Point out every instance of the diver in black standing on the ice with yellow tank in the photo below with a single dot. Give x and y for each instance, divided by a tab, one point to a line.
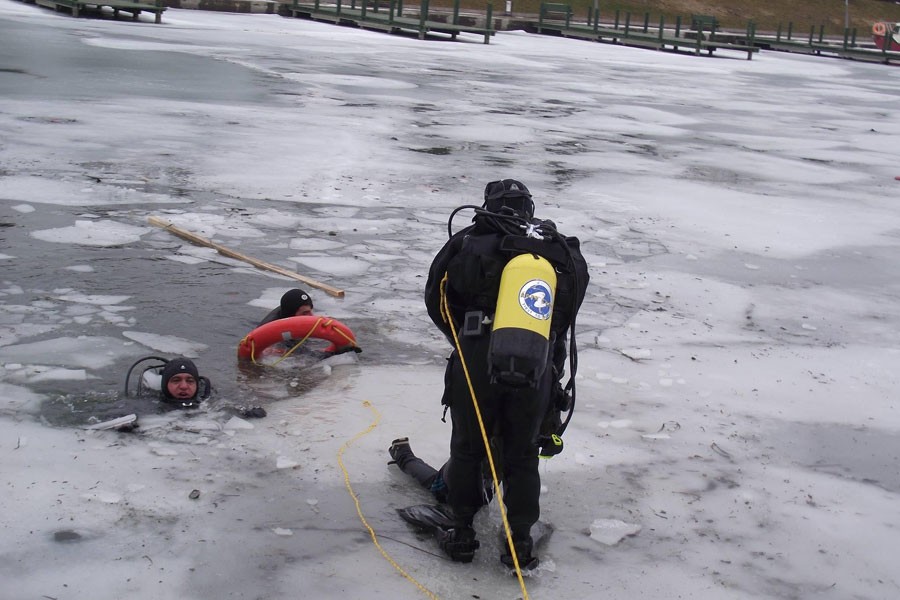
505	292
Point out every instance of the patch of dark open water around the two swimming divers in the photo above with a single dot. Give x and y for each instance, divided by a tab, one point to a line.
204	303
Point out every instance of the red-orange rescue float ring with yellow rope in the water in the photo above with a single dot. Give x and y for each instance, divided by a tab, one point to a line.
296	328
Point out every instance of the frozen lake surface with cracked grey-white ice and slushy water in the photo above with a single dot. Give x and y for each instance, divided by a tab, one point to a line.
736	434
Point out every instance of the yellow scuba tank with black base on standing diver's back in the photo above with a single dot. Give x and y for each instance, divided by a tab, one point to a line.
520	338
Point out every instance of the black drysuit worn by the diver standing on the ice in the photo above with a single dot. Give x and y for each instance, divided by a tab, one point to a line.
473	260
